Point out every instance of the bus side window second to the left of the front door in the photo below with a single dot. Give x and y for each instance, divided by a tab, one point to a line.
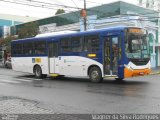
77	44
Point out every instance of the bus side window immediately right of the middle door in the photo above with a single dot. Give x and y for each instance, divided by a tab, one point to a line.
65	45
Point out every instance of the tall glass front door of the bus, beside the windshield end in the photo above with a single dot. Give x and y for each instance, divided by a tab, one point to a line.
111	55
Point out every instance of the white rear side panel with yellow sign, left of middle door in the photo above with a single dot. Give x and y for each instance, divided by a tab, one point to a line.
26	64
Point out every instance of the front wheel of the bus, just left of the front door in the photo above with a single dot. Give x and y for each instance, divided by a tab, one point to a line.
95	75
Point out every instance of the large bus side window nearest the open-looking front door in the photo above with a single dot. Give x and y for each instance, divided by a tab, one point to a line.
91	43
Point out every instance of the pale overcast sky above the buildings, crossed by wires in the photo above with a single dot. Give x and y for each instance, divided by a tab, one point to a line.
47	10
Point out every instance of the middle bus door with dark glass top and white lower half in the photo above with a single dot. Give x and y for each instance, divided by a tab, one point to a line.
53	57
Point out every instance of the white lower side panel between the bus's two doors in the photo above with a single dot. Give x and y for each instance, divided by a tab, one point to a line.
76	66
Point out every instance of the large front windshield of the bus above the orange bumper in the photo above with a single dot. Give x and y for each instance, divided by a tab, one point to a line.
137	46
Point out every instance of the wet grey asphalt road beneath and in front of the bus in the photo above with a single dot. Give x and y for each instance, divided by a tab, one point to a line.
22	93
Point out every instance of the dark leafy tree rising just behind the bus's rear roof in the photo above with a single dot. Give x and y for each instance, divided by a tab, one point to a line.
28	30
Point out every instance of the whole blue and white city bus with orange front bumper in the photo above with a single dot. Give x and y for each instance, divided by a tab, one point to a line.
118	52
